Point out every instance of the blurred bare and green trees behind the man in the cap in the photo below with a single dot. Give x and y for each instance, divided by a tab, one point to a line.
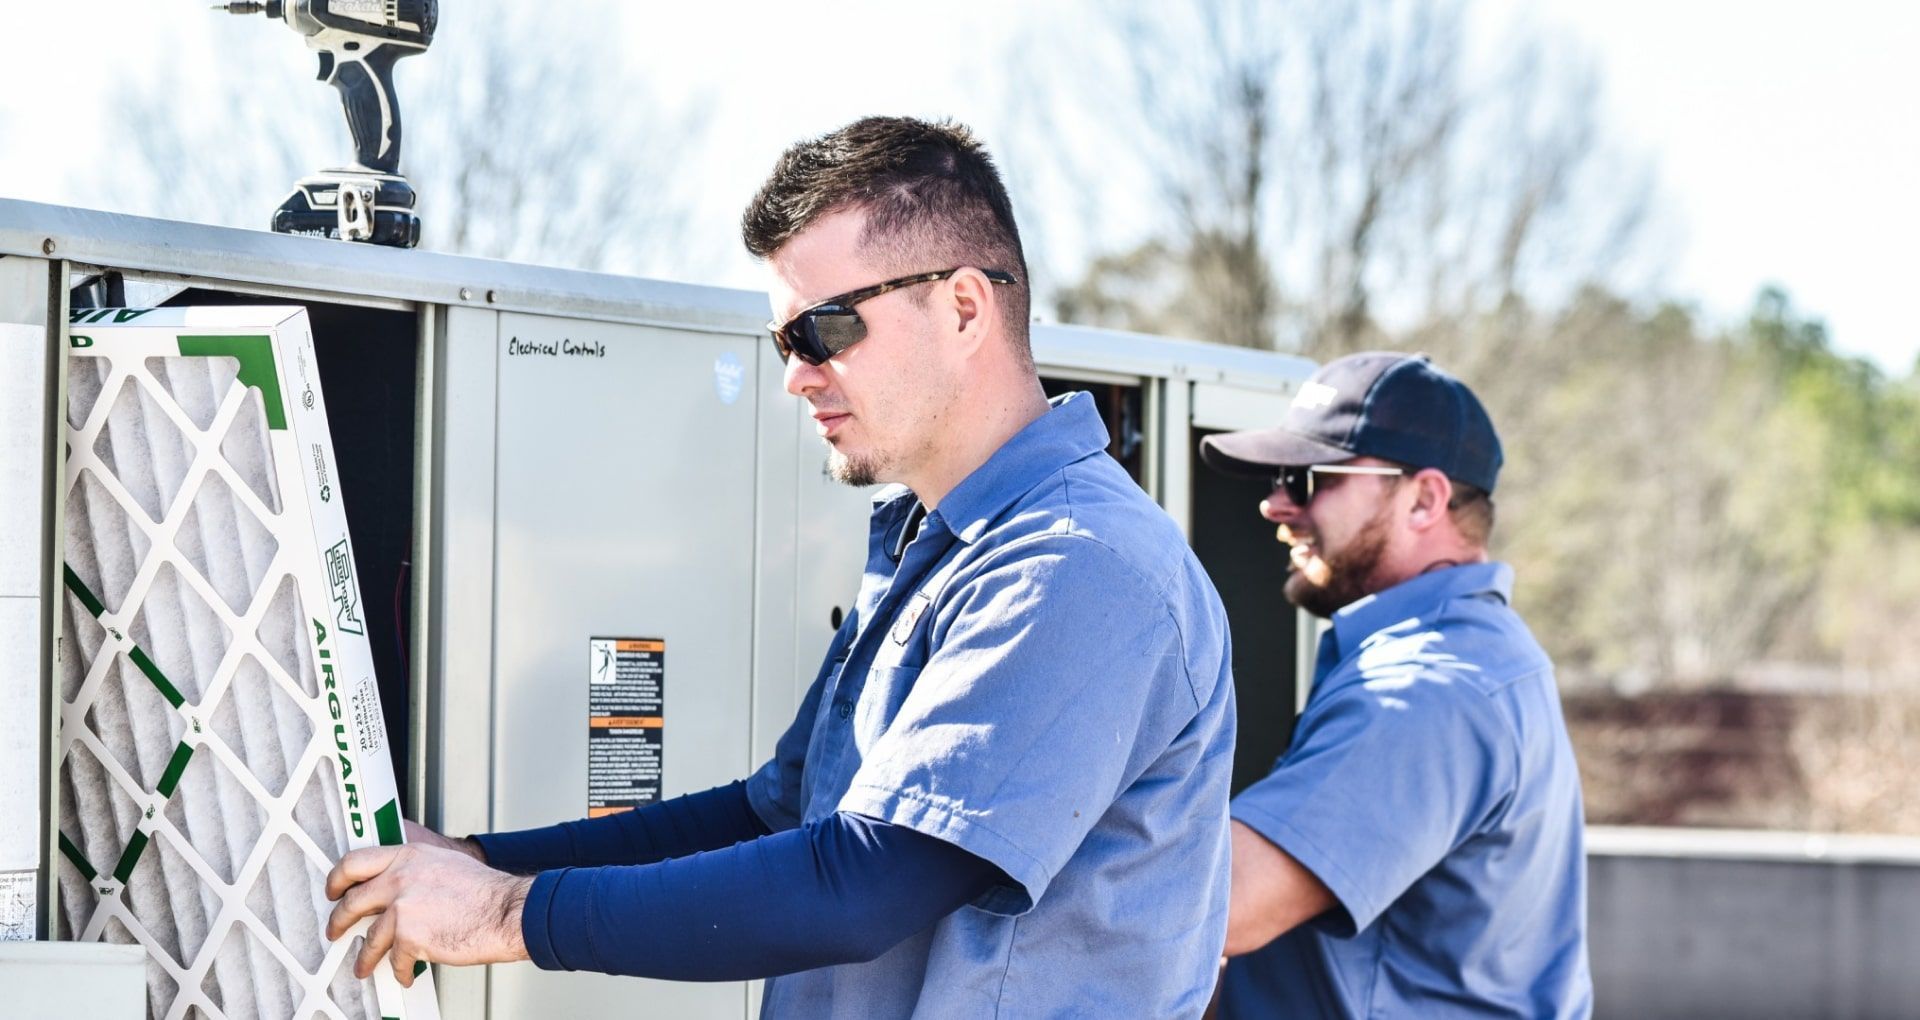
1685	504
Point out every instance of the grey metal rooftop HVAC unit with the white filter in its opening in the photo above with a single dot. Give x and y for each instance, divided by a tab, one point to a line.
558	464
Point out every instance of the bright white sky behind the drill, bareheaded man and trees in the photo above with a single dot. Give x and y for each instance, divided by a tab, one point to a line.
1783	135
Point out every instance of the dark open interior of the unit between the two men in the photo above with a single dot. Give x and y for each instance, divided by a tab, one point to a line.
1249	566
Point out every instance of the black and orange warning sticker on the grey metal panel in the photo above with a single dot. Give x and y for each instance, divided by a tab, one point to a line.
627	681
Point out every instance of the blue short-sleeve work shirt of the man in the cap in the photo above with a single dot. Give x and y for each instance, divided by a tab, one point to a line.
1433	789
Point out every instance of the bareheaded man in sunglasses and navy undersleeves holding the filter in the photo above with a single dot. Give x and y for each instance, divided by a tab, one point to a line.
1007	789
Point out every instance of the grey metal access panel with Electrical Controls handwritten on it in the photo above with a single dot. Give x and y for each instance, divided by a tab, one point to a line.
625	479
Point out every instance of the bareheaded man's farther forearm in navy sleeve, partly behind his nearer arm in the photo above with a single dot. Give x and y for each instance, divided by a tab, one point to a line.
686	825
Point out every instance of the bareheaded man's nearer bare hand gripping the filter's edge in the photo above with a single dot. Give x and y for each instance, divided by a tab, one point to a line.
433	904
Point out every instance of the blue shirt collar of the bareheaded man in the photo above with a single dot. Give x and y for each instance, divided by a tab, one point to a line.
1067	433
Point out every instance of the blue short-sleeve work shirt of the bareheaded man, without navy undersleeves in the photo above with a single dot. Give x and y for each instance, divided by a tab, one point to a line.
1038	673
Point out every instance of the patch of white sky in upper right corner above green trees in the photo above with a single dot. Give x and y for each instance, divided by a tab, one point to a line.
1787	139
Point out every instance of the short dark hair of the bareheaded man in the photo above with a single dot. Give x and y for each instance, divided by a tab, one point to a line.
932	197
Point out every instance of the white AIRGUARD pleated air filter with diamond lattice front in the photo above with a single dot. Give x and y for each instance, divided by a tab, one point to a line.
222	737
